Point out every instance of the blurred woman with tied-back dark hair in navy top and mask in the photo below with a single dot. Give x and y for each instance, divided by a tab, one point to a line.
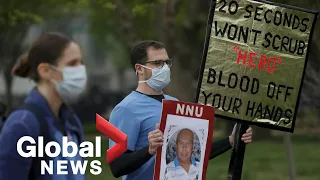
54	63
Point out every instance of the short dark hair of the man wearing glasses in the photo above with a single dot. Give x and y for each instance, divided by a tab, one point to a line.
139	53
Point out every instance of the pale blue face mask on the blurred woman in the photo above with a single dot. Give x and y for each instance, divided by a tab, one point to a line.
73	84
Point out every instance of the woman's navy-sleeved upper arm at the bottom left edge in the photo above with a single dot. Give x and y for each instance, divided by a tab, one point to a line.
12	164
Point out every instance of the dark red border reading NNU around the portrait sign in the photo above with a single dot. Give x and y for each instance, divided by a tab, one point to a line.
169	107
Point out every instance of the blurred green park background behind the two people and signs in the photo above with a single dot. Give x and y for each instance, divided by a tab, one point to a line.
106	29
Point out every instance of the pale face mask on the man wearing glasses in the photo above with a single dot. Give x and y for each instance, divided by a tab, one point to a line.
160	78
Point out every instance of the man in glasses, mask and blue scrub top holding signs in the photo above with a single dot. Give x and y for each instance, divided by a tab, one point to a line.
138	114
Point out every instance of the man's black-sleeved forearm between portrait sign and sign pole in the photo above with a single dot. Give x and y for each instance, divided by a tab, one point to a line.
219	147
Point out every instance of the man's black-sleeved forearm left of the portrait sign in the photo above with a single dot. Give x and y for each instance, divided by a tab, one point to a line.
129	162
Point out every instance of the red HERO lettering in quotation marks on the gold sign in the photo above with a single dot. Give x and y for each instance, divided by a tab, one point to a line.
265	63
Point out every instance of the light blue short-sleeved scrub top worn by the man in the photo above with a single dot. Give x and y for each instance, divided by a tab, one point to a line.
137	115
